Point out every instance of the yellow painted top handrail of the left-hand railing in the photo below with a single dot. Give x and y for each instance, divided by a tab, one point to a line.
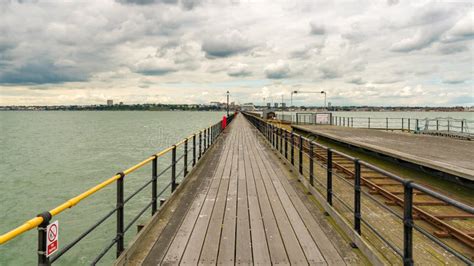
35	222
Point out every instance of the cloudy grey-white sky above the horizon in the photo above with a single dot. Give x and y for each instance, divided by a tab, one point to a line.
361	52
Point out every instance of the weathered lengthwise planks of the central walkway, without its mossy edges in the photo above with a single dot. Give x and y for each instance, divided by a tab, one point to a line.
247	214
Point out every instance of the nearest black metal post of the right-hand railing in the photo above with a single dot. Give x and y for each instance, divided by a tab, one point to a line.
408	224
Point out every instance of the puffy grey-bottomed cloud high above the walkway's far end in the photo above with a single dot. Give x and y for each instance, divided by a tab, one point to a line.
225	45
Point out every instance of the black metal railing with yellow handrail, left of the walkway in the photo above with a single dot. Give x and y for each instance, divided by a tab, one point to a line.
200	142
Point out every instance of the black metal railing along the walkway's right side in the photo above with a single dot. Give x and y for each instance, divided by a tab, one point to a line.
287	143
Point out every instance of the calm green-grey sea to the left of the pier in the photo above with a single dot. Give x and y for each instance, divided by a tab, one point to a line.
49	157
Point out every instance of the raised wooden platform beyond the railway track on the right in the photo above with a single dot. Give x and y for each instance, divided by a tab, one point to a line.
447	155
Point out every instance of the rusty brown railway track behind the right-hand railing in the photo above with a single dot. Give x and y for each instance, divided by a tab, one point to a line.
445	221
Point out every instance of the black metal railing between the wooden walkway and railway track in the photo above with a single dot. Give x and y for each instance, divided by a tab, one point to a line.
333	161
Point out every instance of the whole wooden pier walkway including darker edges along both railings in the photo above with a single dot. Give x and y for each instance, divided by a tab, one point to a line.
241	207
